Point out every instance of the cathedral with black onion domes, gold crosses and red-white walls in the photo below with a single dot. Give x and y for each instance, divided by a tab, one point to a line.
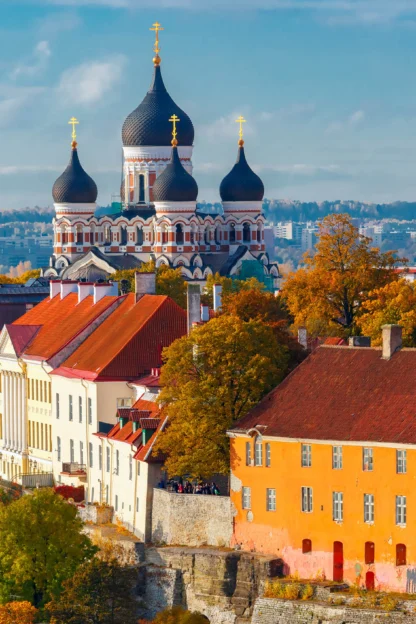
159	217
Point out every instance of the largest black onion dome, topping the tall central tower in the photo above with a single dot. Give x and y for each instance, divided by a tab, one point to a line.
149	123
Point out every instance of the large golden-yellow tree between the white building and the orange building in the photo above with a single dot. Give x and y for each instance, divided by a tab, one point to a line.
210	379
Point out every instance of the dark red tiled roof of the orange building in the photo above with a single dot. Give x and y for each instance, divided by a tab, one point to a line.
343	394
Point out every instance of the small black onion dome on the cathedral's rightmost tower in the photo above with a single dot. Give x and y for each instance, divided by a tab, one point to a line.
241	184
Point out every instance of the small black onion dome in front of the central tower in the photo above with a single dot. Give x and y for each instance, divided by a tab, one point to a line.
175	183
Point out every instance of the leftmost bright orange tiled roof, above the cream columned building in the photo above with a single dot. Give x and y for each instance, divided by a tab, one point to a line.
60	320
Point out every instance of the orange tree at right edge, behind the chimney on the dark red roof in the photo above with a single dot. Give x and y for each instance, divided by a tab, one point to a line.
395	303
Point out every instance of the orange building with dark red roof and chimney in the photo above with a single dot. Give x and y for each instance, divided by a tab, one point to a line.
323	470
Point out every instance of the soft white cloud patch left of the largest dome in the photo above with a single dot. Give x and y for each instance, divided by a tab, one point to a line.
87	83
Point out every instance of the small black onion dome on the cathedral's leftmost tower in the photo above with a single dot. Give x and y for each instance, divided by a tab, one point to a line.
74	186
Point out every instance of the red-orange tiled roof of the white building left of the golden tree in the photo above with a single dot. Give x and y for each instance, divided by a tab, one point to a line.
129	342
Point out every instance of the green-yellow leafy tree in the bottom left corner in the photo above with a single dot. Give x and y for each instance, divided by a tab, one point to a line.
41	545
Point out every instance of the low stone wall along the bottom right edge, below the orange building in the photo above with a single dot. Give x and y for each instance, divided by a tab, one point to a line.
270	611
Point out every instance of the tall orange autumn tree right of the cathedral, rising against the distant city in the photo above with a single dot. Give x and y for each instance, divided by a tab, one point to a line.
329	291
